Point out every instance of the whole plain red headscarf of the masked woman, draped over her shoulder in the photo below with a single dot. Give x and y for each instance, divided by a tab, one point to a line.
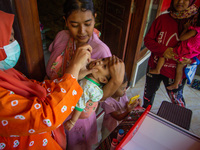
11	79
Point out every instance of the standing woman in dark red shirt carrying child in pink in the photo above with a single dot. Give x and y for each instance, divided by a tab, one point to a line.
160	40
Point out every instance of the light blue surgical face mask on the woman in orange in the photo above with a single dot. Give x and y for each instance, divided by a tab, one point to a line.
13	52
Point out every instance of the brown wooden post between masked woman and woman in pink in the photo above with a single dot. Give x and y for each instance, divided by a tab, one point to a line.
28	19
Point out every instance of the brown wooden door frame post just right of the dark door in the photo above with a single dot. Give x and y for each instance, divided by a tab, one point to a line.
135	39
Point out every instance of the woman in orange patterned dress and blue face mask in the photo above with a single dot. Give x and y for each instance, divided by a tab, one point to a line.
30	110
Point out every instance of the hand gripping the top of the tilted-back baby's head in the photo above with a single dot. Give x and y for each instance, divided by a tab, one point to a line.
117	69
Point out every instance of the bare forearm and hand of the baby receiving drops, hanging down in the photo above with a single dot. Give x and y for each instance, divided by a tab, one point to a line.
70	123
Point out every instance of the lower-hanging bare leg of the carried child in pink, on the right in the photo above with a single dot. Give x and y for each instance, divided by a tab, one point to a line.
178	77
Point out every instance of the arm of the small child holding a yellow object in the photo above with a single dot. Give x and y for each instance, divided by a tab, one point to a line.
120	116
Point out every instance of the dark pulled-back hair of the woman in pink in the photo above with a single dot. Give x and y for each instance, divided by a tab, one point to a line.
72	5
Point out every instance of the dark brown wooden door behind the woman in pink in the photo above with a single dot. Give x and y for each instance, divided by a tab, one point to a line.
118	14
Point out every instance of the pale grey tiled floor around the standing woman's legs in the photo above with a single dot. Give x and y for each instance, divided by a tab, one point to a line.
192	98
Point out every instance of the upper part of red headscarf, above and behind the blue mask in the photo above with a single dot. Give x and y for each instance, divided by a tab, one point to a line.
5	29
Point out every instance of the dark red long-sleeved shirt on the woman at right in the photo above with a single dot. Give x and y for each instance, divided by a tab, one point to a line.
163	34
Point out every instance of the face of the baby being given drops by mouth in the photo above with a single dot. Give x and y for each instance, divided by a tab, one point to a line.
103	73
